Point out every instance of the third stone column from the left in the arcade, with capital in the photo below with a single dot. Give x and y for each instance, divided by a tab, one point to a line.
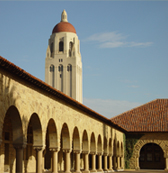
54	160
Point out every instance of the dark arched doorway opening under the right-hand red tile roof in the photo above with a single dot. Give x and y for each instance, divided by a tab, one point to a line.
151	157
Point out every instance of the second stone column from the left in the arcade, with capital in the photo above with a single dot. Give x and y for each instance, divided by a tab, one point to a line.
39	164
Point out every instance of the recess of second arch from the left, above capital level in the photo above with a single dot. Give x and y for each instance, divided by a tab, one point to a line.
35	124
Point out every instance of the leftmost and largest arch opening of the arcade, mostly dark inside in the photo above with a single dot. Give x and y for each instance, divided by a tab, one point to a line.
12	135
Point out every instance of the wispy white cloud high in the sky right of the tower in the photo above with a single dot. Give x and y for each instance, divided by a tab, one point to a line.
115	39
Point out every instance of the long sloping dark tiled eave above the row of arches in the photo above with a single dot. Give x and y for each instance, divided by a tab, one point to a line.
23	75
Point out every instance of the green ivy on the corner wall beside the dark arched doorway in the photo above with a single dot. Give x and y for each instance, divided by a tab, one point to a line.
129	142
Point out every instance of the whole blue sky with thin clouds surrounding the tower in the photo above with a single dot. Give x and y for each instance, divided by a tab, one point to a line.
124	47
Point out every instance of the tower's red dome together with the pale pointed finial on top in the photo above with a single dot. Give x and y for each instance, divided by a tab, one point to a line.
64	25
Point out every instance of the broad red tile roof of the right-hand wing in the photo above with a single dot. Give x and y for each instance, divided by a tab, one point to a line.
150	117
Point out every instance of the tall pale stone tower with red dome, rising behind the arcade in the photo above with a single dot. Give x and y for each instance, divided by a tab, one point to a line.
63	64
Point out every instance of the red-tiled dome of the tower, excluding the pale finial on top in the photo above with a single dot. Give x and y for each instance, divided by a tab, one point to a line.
64	27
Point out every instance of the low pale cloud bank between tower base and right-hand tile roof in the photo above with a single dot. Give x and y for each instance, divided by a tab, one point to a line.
110	108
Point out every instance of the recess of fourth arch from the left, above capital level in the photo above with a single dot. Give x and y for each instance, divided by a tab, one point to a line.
65	136
